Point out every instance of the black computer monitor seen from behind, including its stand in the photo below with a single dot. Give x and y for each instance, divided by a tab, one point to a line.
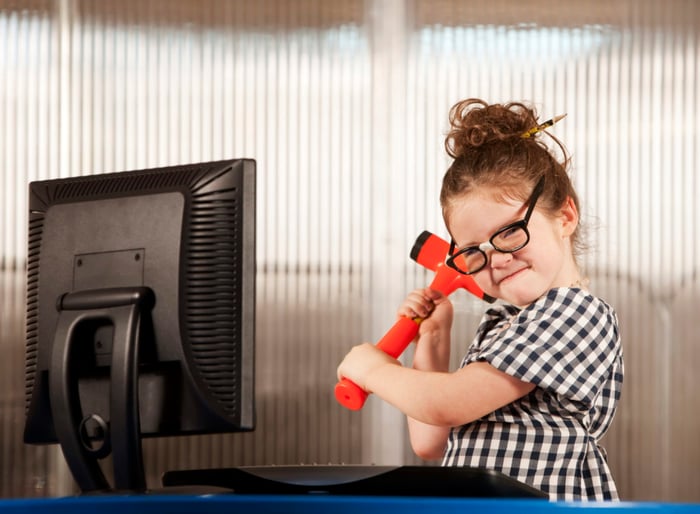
140	318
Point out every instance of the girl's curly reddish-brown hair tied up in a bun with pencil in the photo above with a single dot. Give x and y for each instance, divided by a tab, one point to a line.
488	149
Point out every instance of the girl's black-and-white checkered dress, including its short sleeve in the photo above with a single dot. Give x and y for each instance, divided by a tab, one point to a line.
566	343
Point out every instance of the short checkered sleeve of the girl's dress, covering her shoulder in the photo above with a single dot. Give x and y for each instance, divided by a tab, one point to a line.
565	342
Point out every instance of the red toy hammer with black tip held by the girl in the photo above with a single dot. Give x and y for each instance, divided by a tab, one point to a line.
429	251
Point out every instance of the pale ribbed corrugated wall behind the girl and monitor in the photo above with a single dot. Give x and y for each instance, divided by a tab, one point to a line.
344	106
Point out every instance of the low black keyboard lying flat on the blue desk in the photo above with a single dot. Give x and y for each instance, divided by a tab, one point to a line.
463	482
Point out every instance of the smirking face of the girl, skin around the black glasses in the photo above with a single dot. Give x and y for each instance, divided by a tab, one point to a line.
523	276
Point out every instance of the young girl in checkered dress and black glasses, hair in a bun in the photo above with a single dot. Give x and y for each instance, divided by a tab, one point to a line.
541	380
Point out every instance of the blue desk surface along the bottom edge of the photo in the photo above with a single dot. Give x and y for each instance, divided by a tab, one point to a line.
318	504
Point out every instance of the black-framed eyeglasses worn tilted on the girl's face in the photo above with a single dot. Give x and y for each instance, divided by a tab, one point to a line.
508	239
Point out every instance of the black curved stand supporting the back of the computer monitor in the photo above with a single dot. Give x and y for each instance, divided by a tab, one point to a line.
128	310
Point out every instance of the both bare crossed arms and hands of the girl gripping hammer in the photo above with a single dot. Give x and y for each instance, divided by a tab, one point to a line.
433	399
